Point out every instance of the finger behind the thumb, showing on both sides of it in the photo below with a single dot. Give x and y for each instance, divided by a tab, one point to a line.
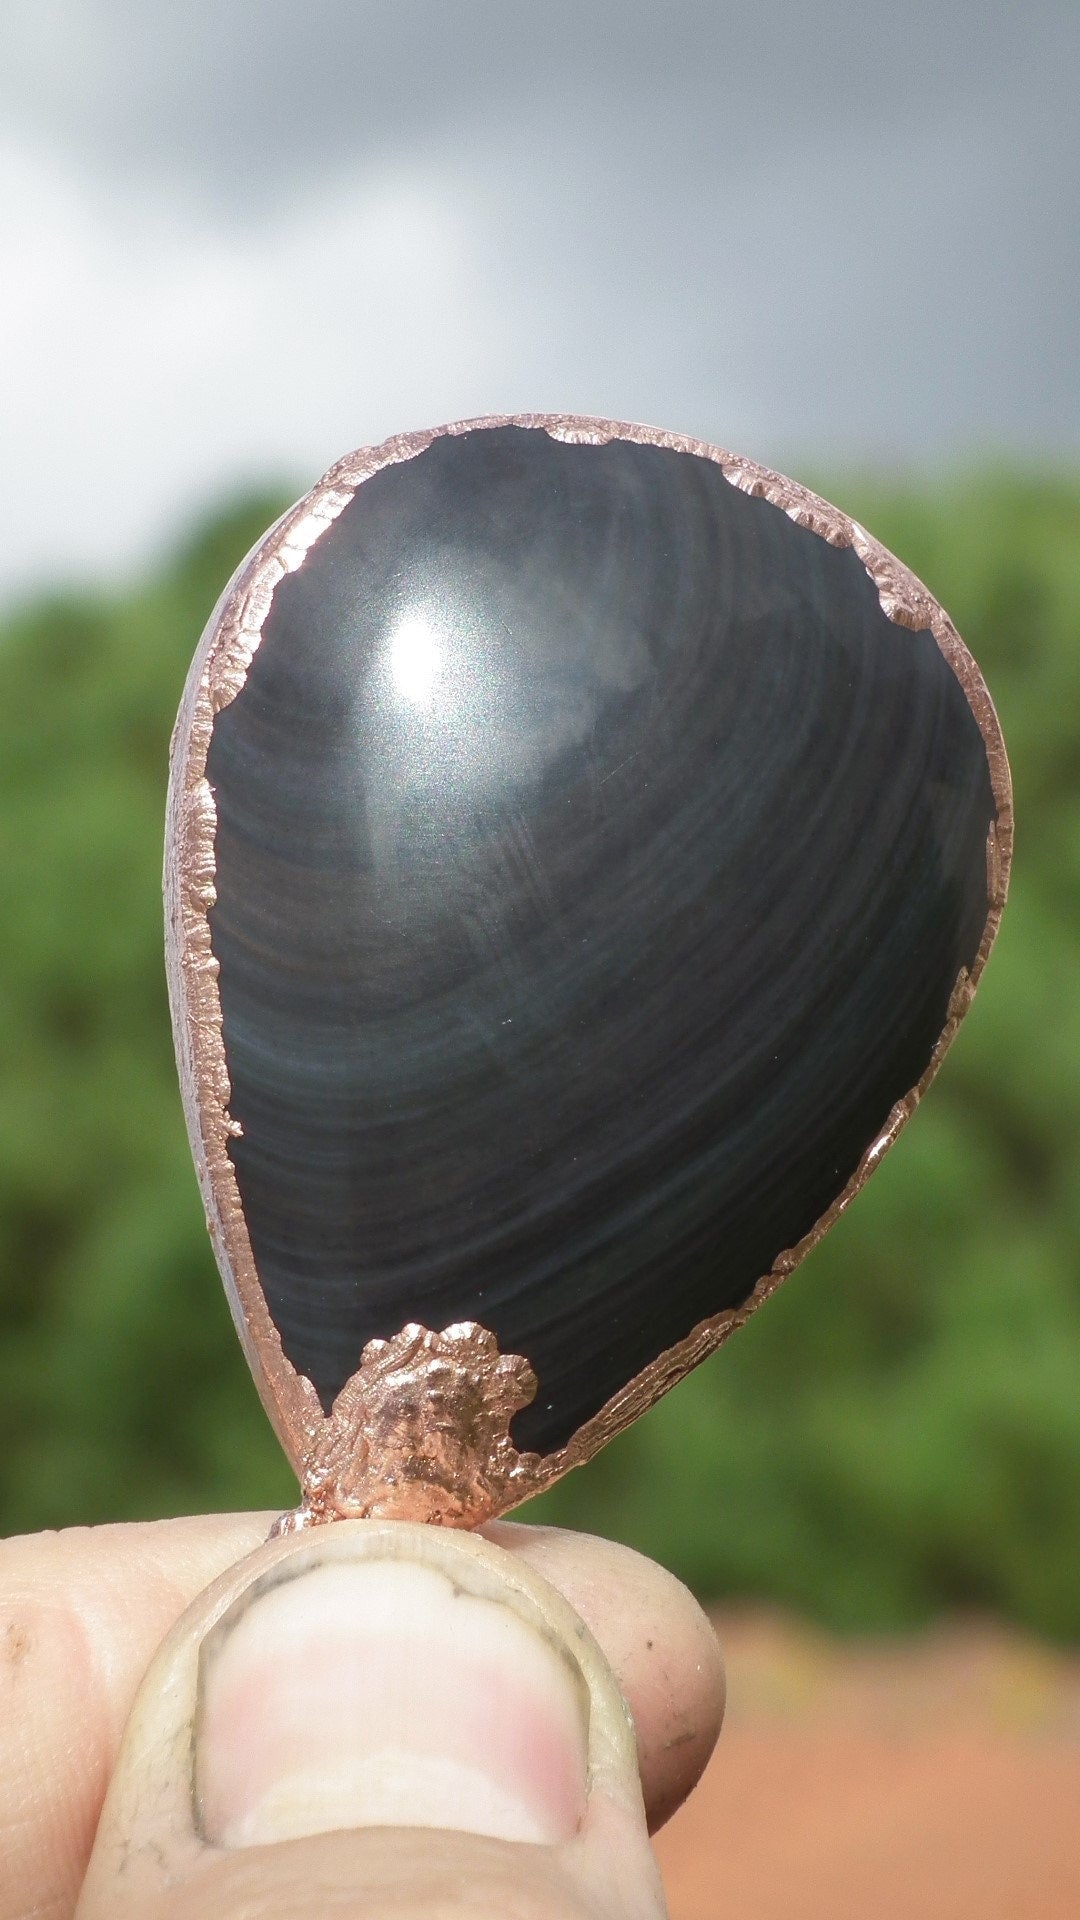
84	1612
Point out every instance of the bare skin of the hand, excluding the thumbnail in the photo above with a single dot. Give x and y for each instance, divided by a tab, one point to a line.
84	1618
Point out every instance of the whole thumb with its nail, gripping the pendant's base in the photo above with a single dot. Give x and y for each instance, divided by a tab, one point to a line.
376	1719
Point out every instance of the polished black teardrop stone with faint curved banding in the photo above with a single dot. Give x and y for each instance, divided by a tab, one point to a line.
595	865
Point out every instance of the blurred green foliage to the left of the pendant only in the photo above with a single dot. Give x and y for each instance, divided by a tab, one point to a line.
122	1389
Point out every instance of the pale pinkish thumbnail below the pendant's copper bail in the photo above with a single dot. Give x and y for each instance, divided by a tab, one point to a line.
380	1691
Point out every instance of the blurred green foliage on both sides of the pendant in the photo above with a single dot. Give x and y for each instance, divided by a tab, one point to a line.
900	1429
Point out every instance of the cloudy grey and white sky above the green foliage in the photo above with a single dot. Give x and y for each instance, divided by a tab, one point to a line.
241	237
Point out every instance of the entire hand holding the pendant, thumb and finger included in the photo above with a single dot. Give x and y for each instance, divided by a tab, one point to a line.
322	1694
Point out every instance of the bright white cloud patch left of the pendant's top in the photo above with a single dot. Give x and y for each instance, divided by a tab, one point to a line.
149	366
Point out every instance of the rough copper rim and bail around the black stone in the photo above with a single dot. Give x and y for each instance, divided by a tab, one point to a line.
349	1462
